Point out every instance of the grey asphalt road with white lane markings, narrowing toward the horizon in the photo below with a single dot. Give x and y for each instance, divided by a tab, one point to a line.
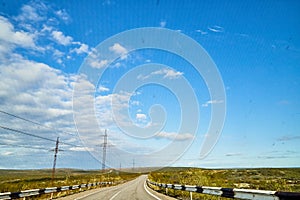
132	190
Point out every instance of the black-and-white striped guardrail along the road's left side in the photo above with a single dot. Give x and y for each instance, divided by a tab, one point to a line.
35	192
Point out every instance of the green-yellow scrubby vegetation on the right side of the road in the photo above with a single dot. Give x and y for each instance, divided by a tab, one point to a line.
280	179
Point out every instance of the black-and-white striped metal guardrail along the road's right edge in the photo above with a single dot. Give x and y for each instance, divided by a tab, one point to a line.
232	192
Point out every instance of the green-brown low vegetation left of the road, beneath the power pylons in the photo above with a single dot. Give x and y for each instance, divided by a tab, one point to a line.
18	180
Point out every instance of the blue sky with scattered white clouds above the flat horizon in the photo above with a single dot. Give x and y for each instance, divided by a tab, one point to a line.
174	83
